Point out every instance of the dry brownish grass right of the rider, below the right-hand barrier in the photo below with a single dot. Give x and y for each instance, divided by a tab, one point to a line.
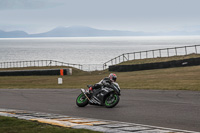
185	78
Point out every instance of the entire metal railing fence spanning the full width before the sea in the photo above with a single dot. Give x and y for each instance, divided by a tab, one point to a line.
166	52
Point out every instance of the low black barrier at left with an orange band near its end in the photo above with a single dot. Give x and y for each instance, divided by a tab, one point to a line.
40	72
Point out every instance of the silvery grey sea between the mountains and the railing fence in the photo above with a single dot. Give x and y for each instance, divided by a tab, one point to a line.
85	50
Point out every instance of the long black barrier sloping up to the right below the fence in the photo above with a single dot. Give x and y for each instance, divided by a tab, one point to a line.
159	65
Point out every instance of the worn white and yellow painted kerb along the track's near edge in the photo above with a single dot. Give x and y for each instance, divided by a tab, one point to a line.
87	123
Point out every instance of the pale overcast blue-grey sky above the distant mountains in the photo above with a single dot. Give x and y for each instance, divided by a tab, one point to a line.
34	16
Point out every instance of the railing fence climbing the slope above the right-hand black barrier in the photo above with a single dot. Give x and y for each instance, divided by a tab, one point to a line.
166	52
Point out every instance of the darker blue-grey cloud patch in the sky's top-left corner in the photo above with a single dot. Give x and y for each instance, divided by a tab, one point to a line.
28	4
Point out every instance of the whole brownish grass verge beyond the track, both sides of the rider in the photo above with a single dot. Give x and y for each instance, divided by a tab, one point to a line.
180	78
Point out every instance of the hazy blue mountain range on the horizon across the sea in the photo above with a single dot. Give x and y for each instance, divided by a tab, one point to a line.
83	31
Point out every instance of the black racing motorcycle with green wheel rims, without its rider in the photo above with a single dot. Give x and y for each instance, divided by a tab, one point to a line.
104	96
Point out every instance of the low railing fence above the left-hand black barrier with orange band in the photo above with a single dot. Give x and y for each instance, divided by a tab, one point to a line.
37	63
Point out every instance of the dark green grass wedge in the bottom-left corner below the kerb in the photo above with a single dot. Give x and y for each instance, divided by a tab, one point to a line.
14	125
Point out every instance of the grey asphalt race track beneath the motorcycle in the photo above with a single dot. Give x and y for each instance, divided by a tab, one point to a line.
170	109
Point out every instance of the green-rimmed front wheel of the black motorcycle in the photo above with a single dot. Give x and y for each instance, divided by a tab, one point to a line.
111	101
